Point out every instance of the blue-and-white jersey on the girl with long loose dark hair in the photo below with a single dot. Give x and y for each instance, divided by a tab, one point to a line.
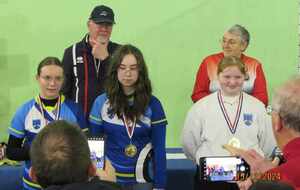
149	134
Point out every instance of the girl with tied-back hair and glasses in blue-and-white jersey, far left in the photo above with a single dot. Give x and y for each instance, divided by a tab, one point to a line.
32	116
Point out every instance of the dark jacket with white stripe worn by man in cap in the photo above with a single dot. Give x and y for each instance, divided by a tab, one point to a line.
82	82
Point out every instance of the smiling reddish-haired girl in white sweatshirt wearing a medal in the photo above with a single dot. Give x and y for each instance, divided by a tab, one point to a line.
228	116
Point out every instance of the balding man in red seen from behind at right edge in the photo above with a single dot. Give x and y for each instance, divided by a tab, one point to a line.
286	129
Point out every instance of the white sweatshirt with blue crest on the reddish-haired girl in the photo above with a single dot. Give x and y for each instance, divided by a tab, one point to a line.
206	130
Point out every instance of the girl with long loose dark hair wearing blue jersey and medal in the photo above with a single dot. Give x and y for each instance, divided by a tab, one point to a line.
133	121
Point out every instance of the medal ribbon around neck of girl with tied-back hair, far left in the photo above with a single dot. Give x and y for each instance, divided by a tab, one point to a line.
44	112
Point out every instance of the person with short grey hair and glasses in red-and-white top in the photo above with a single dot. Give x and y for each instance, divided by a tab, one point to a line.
235	41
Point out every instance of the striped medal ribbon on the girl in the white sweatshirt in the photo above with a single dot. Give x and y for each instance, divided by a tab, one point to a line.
231	126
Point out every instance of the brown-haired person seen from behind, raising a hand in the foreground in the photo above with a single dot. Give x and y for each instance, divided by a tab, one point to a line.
60	159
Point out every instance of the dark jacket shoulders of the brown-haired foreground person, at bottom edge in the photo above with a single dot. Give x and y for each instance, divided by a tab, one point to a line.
94	184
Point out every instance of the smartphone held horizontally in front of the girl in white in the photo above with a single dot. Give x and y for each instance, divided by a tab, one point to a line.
223	168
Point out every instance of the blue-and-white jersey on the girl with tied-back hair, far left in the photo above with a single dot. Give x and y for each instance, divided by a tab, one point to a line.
29	120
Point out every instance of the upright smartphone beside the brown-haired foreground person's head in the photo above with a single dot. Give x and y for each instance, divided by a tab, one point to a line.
96	145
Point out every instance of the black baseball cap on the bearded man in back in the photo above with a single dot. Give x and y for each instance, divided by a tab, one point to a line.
102	14
